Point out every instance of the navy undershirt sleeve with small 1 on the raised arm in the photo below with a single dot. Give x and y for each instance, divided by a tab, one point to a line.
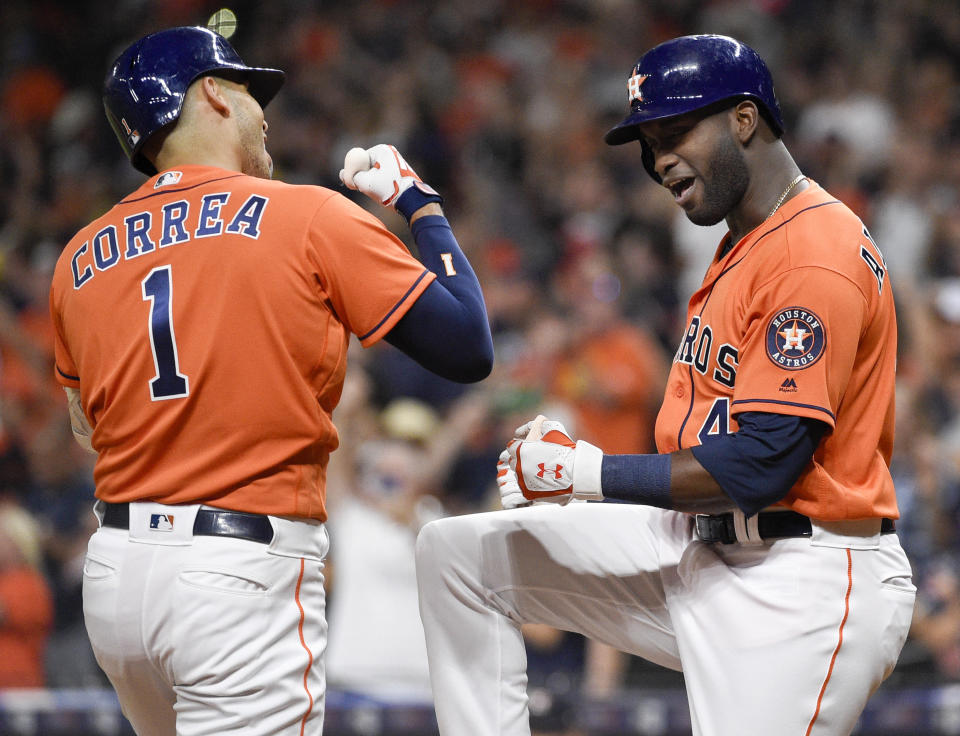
446	330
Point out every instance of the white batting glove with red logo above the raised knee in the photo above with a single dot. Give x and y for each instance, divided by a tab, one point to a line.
552	468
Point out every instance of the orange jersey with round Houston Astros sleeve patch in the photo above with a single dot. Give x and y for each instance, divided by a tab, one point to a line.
797	318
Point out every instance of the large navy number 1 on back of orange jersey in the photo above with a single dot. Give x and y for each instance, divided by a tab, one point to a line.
169	382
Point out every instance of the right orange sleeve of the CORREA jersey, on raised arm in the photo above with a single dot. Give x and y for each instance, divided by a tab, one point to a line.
369	276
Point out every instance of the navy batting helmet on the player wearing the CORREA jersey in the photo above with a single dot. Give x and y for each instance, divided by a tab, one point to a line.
145	87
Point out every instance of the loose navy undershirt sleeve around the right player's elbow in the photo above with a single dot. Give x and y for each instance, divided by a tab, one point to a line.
758	465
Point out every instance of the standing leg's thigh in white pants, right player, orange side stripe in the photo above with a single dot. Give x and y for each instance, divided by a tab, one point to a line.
776	638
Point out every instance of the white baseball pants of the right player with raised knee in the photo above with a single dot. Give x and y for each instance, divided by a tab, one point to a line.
788	637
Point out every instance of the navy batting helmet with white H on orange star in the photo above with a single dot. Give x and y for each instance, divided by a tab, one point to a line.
690	73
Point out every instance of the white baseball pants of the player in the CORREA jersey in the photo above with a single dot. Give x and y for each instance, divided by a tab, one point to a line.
209	635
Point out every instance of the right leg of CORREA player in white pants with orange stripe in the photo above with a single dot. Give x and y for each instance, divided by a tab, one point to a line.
247	644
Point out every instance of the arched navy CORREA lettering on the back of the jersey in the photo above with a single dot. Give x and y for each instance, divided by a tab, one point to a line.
177	225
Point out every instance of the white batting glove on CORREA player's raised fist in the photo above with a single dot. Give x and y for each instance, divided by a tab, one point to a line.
383	176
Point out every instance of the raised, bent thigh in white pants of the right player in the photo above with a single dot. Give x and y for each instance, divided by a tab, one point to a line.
586	567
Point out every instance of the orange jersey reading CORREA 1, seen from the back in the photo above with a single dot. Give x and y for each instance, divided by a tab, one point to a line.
205	319
